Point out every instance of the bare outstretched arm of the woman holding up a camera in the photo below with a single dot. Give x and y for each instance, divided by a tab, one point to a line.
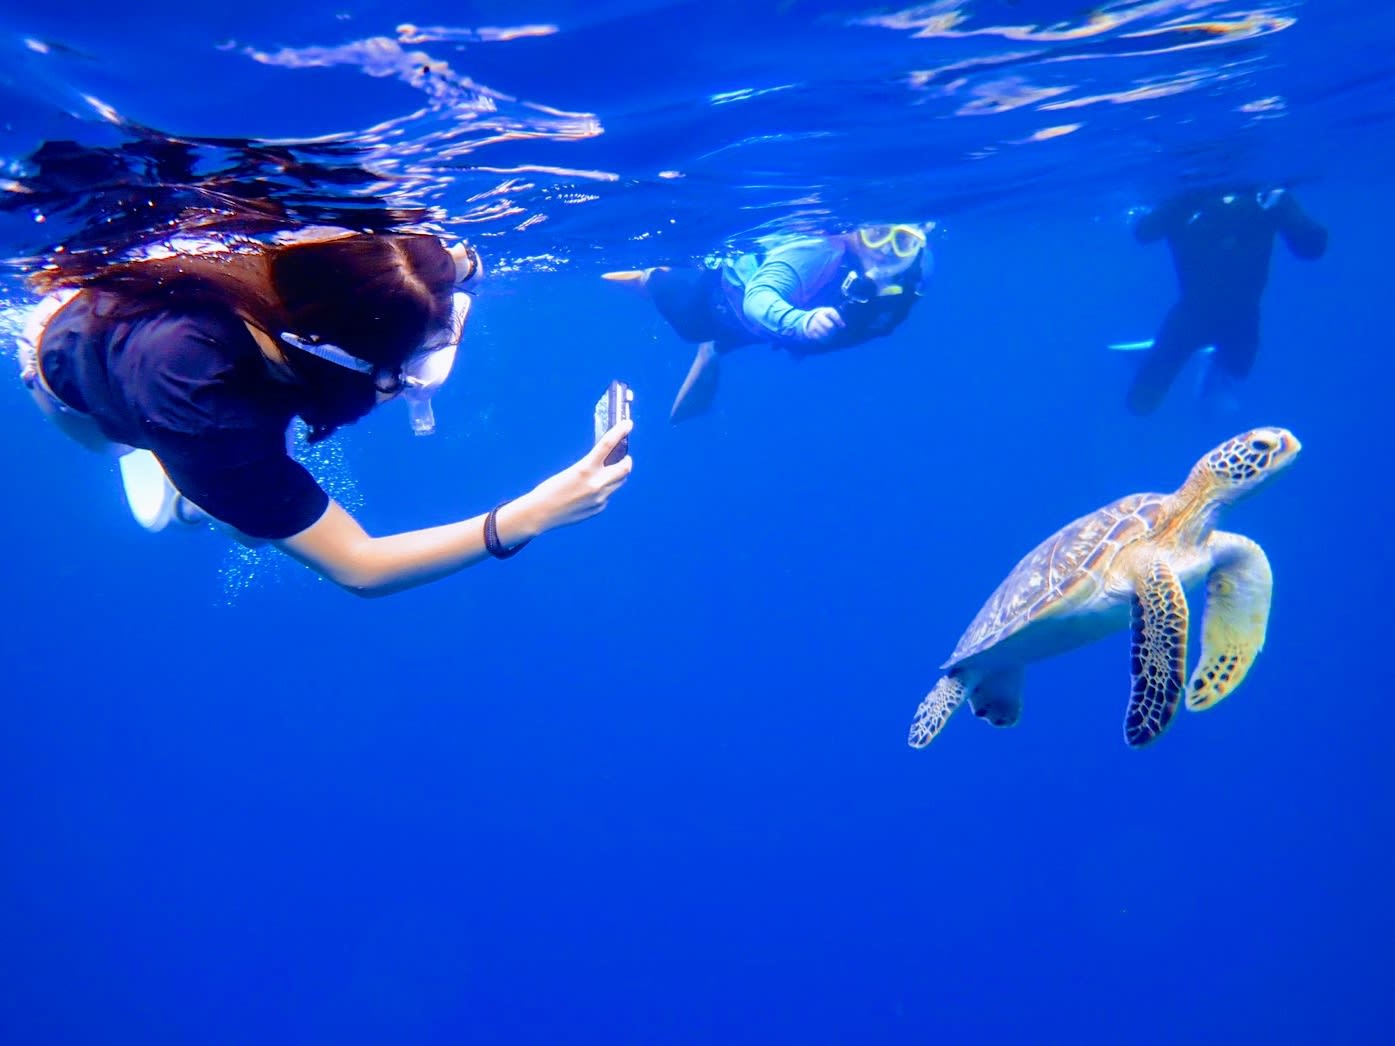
338	549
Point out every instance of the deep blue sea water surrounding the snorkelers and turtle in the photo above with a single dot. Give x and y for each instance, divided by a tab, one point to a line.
648	782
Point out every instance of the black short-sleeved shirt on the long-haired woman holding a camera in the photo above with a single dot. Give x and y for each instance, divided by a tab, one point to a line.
193	388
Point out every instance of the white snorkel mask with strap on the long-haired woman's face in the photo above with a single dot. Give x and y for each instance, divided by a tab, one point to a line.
426	370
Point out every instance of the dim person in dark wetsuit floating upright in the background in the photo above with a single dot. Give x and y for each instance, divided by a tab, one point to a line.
1221	241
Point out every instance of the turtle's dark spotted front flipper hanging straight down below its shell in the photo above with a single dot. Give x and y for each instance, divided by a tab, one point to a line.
1160	653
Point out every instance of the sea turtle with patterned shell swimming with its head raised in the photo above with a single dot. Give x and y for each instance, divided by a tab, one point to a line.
1129	561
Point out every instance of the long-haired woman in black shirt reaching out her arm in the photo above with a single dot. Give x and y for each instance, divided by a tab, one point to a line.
193	366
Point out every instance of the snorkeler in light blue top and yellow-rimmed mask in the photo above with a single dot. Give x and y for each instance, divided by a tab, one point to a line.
807	296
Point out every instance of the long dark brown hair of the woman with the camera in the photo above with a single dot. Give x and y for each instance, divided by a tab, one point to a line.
376	296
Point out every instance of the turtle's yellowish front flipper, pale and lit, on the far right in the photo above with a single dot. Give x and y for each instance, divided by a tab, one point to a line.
1235	621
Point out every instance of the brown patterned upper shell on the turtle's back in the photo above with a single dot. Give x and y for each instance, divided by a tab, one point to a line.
1065	571
